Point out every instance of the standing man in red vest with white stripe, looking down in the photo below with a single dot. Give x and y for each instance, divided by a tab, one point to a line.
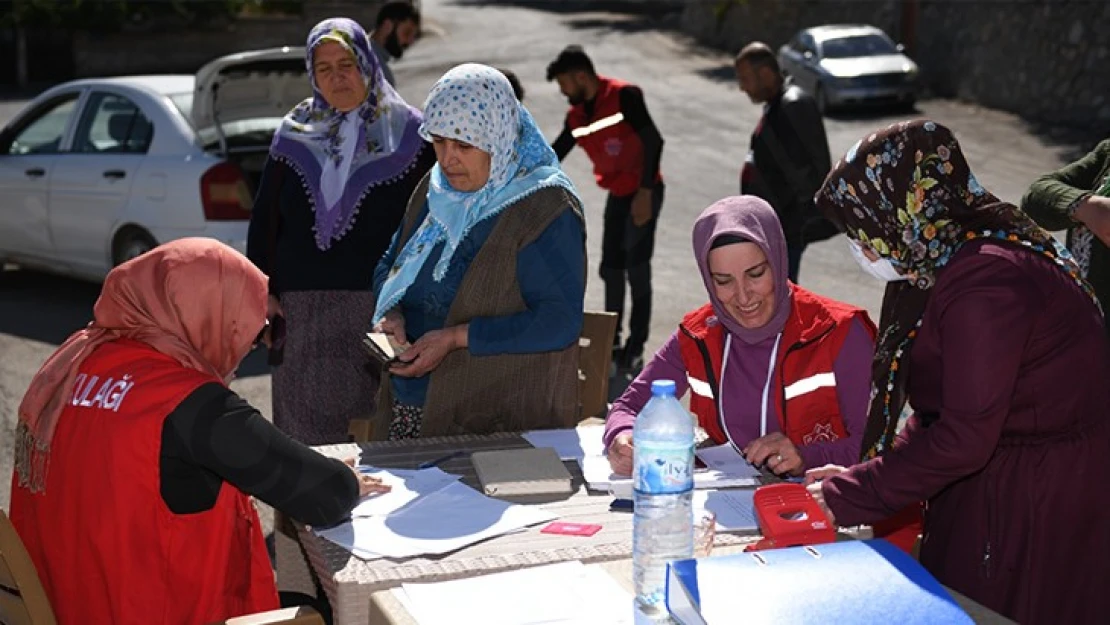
609	119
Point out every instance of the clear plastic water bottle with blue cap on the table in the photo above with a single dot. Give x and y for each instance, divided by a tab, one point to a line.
663	482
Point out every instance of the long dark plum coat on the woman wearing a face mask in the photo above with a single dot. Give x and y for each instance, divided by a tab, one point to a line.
1010	443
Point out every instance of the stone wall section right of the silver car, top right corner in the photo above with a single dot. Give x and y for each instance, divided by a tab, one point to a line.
1047	61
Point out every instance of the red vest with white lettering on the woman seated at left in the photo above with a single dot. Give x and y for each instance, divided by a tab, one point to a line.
107	548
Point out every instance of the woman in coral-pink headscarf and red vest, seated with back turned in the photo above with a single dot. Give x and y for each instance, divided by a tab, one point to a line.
135	463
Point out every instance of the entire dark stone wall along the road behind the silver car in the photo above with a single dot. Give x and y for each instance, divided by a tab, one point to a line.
1046	61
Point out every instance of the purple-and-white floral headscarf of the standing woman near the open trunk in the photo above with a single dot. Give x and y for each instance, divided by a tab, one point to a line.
340	157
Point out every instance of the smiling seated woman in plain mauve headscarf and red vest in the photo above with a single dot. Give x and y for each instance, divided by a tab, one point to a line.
774	370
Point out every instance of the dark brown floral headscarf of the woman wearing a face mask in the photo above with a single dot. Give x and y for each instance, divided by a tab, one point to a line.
909	195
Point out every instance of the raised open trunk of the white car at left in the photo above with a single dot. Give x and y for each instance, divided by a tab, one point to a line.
239	102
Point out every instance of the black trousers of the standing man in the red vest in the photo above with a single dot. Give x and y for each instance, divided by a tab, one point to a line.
627	257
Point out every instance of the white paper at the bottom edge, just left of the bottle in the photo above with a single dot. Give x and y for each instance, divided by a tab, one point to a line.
568	593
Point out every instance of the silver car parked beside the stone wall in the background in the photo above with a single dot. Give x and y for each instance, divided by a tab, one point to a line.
851	65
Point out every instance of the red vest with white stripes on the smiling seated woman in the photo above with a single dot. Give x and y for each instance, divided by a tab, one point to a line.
806	398
